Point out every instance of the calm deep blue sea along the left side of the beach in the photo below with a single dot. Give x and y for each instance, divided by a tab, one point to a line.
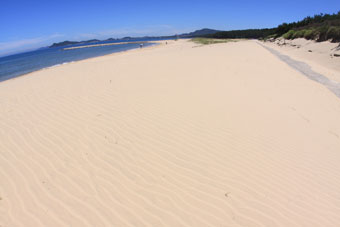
19	64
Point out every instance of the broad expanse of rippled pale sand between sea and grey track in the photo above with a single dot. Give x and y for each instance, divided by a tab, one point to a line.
174	135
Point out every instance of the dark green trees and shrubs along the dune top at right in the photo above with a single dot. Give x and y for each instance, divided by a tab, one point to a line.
320	27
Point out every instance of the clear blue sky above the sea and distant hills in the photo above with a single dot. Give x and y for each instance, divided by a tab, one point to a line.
28	24
